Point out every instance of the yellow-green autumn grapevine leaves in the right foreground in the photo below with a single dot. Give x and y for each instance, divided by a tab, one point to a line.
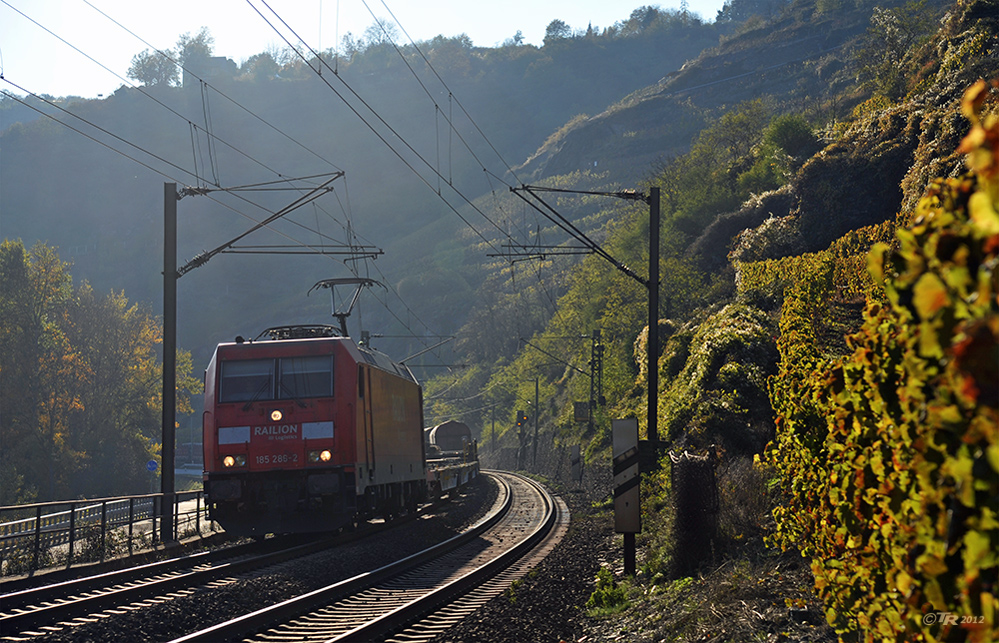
890	454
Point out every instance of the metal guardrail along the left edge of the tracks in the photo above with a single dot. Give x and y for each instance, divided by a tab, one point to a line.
65	532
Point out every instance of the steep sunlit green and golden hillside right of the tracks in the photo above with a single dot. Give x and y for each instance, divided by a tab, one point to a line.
831	329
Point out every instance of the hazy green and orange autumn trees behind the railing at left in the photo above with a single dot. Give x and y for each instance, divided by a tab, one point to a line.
82	383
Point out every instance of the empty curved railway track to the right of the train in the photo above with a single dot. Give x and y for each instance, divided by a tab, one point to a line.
417	597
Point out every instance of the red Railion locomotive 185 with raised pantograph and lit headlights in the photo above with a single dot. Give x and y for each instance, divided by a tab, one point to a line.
307	431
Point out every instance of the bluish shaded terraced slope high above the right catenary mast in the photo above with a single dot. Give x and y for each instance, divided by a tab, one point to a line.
800	61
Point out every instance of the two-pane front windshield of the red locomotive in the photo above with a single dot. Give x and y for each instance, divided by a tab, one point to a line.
287	378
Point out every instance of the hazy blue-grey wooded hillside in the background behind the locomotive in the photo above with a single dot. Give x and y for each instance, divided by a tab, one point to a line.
103	210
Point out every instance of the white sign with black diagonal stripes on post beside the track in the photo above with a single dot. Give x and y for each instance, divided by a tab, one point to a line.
627	497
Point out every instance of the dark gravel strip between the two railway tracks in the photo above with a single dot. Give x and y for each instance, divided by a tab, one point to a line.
177	616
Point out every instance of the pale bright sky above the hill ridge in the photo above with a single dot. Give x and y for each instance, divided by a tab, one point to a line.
41	63
